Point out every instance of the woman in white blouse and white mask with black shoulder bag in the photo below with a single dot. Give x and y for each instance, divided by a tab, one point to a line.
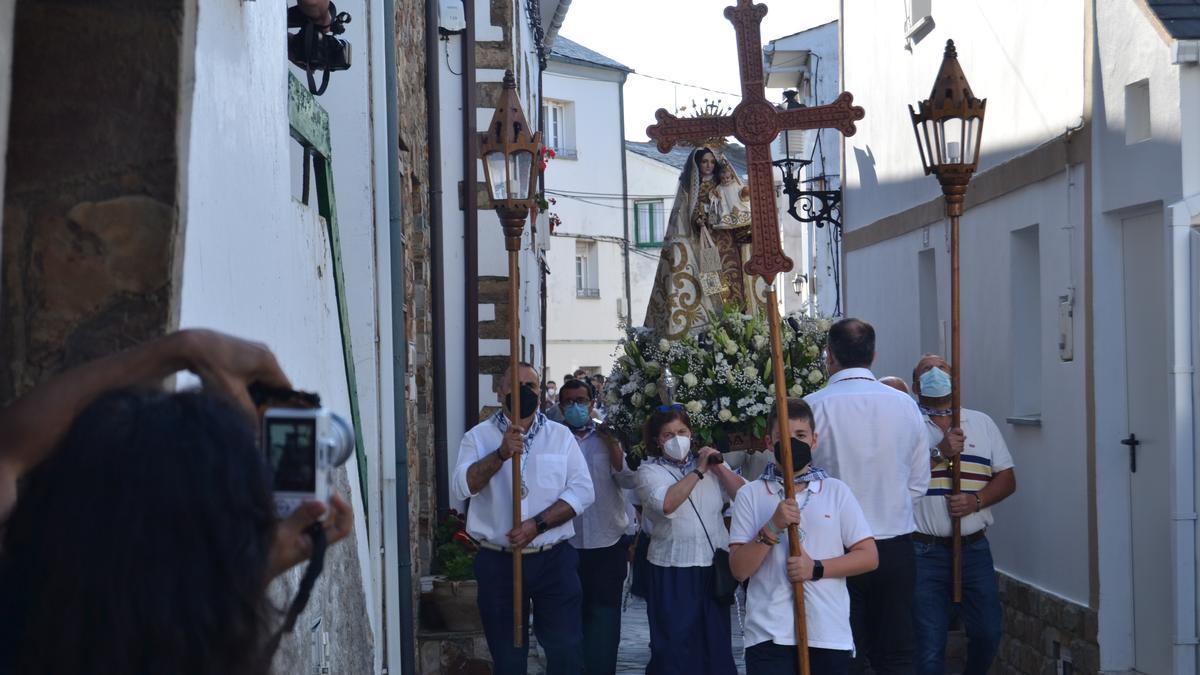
683	494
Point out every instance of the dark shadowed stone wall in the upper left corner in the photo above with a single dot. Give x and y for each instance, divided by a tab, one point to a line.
91	208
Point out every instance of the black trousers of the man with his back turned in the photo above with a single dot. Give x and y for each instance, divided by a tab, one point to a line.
881	611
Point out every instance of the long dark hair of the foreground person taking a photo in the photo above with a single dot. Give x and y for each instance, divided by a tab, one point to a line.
142	546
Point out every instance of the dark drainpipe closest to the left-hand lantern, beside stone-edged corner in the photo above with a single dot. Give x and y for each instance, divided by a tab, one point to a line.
471	217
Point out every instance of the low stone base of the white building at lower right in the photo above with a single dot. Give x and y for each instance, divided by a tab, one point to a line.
1045	634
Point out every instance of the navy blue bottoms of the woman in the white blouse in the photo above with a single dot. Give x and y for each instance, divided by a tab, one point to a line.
691	632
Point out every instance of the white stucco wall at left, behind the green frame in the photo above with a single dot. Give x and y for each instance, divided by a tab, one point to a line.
256	262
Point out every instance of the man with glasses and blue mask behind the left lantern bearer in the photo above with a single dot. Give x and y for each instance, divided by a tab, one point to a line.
601	531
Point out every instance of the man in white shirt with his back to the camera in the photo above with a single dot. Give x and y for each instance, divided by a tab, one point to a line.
873	438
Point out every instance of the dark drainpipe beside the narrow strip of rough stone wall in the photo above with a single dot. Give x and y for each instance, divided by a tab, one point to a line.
437	265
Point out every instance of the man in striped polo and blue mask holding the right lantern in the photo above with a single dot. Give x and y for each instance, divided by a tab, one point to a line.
987	479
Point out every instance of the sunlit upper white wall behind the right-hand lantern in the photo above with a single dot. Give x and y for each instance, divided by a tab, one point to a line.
1005	51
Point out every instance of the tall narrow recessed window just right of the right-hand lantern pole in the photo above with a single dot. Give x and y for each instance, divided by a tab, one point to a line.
1025	279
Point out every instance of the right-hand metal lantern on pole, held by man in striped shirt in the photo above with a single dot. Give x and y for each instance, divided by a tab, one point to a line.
949	127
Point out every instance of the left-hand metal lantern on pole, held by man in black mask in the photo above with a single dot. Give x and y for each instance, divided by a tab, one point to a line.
511	152
